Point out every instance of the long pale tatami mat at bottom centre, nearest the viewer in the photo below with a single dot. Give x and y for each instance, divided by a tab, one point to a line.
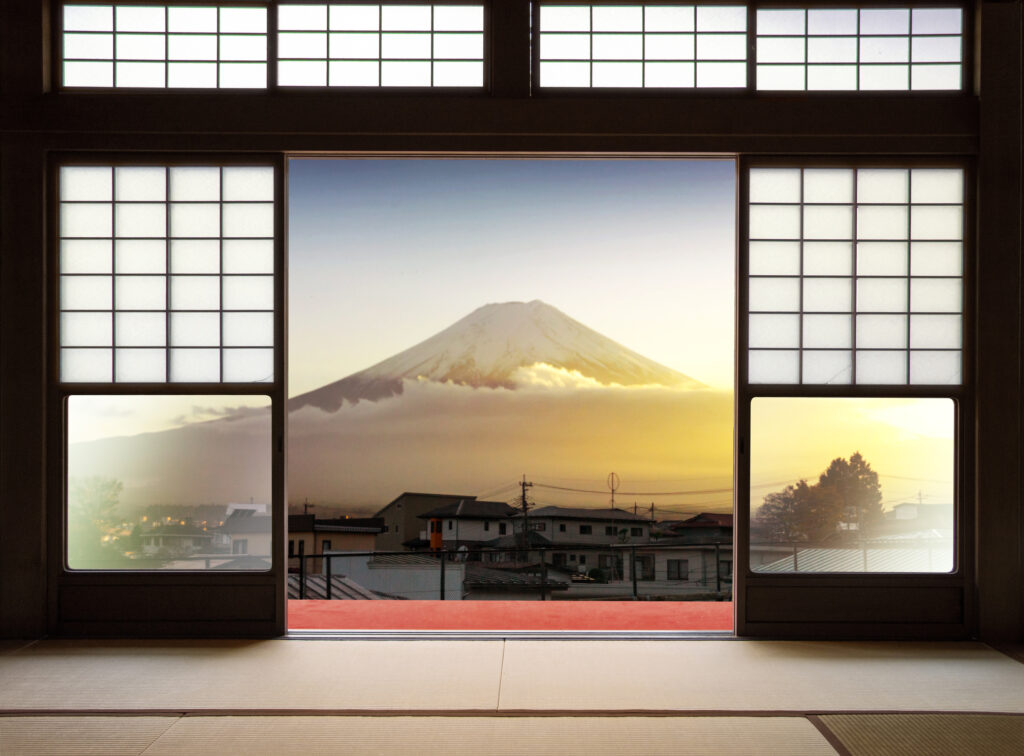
492	736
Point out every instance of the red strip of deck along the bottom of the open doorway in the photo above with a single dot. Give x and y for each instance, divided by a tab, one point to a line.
509	615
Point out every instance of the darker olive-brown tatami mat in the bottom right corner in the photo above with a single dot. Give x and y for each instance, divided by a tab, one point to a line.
929	735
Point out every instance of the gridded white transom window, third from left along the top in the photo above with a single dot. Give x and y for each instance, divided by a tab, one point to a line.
632	46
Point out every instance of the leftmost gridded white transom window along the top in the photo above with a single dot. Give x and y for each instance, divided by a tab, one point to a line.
164	47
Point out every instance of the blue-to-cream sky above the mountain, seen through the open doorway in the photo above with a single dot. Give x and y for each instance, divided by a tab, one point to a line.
386	254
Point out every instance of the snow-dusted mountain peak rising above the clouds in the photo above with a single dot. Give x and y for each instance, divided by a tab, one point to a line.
489	347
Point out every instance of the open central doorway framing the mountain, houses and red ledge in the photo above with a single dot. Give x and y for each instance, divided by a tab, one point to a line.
511	381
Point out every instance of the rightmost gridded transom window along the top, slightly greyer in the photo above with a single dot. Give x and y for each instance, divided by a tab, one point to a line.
860	50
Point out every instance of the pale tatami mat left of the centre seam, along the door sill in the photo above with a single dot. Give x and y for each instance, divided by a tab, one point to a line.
271	675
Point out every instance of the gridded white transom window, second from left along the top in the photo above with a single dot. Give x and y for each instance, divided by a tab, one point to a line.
380	46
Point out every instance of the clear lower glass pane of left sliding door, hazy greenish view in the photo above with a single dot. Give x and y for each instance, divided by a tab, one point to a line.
168	483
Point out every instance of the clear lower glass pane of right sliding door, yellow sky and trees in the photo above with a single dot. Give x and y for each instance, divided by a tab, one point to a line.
871	485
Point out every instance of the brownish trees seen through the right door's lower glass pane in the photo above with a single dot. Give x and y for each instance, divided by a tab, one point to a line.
845	502
